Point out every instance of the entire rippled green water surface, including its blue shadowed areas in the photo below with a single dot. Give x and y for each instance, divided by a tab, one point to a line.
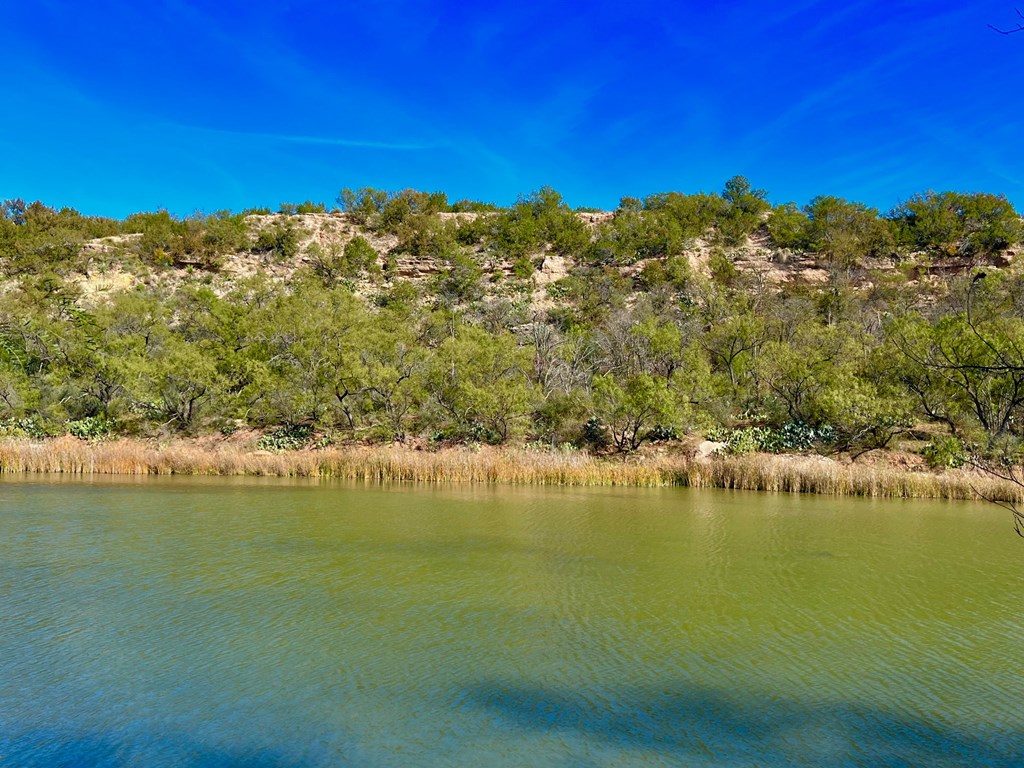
255	624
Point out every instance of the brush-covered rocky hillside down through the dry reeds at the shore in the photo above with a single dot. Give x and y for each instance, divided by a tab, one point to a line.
399	317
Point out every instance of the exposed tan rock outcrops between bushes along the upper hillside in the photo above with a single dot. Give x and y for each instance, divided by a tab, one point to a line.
112	263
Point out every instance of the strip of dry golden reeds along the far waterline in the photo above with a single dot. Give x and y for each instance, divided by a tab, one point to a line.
396	463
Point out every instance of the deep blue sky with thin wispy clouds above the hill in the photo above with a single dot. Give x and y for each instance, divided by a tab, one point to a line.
120	107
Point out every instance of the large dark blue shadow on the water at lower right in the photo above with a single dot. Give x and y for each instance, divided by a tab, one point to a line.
705	724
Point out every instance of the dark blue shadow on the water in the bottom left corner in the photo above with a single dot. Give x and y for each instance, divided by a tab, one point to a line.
47	749
